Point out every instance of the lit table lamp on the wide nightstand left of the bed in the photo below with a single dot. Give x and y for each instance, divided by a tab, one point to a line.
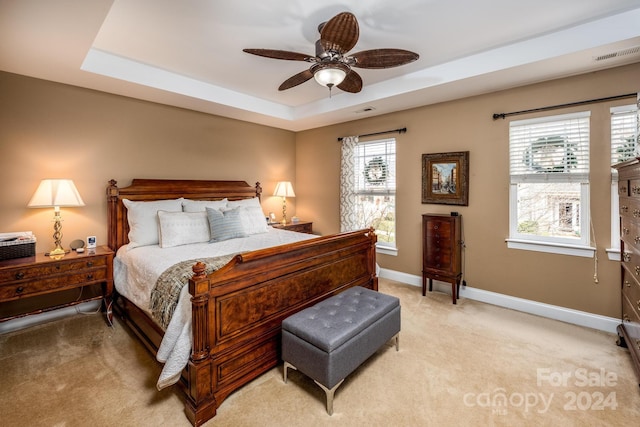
56	193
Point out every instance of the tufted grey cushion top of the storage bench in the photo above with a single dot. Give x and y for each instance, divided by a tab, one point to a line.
330	323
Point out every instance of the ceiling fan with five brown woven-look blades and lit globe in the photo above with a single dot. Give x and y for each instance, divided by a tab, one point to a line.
331	65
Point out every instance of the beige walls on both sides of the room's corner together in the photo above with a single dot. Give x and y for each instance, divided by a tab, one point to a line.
53	130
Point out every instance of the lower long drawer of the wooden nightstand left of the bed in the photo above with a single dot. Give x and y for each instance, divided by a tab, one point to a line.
17	290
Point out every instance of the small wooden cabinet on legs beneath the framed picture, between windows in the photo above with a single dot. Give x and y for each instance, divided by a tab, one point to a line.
442	251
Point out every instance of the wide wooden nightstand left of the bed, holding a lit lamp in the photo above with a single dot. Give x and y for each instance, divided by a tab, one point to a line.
36	284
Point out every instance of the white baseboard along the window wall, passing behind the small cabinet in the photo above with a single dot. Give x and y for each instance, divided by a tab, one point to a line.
576	317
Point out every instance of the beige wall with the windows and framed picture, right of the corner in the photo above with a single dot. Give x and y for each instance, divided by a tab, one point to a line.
467	125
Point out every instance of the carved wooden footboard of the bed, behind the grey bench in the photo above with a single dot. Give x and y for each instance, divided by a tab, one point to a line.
238	310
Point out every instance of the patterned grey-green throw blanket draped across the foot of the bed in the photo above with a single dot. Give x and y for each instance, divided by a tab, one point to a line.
165	294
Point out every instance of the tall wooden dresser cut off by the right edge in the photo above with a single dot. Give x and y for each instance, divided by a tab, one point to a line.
629	195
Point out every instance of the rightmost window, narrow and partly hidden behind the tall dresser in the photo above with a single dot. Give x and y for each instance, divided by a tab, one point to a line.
624	125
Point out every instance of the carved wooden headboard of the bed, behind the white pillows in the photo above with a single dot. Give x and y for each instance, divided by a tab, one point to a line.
161	189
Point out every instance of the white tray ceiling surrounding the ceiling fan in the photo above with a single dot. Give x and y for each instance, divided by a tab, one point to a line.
188	53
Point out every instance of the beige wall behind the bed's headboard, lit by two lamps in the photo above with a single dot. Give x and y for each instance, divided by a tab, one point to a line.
49	130
